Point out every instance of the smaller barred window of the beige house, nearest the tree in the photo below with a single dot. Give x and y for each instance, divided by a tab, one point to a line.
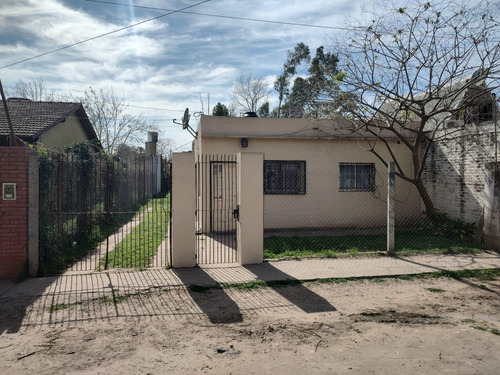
357	177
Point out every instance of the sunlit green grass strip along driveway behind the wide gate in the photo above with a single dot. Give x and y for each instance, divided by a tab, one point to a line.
138	248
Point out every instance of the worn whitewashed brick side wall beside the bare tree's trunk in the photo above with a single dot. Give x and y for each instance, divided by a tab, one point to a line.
454	173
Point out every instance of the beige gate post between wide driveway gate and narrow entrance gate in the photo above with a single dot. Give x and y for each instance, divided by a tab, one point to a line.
183	210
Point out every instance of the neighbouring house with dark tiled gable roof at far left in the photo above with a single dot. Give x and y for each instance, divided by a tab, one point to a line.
49	124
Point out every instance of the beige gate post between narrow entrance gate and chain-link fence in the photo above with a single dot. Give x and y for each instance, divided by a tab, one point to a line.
250	226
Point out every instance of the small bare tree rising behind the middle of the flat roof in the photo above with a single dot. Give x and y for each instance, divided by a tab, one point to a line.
248	91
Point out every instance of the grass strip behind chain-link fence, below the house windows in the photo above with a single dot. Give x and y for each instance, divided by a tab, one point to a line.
407	242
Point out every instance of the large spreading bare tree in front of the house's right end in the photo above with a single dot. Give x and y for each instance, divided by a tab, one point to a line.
416	68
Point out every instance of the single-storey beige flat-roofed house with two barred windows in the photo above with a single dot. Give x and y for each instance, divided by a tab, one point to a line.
317	173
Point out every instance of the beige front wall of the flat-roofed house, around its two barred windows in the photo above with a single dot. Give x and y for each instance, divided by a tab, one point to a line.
324	205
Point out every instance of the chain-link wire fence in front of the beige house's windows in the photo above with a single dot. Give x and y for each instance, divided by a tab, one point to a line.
331	213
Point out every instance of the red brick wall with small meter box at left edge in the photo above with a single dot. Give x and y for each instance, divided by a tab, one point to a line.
14	165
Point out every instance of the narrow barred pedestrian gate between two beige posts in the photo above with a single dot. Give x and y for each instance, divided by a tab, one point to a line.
216	202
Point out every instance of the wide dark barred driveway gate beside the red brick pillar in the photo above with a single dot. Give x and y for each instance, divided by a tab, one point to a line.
99	212
